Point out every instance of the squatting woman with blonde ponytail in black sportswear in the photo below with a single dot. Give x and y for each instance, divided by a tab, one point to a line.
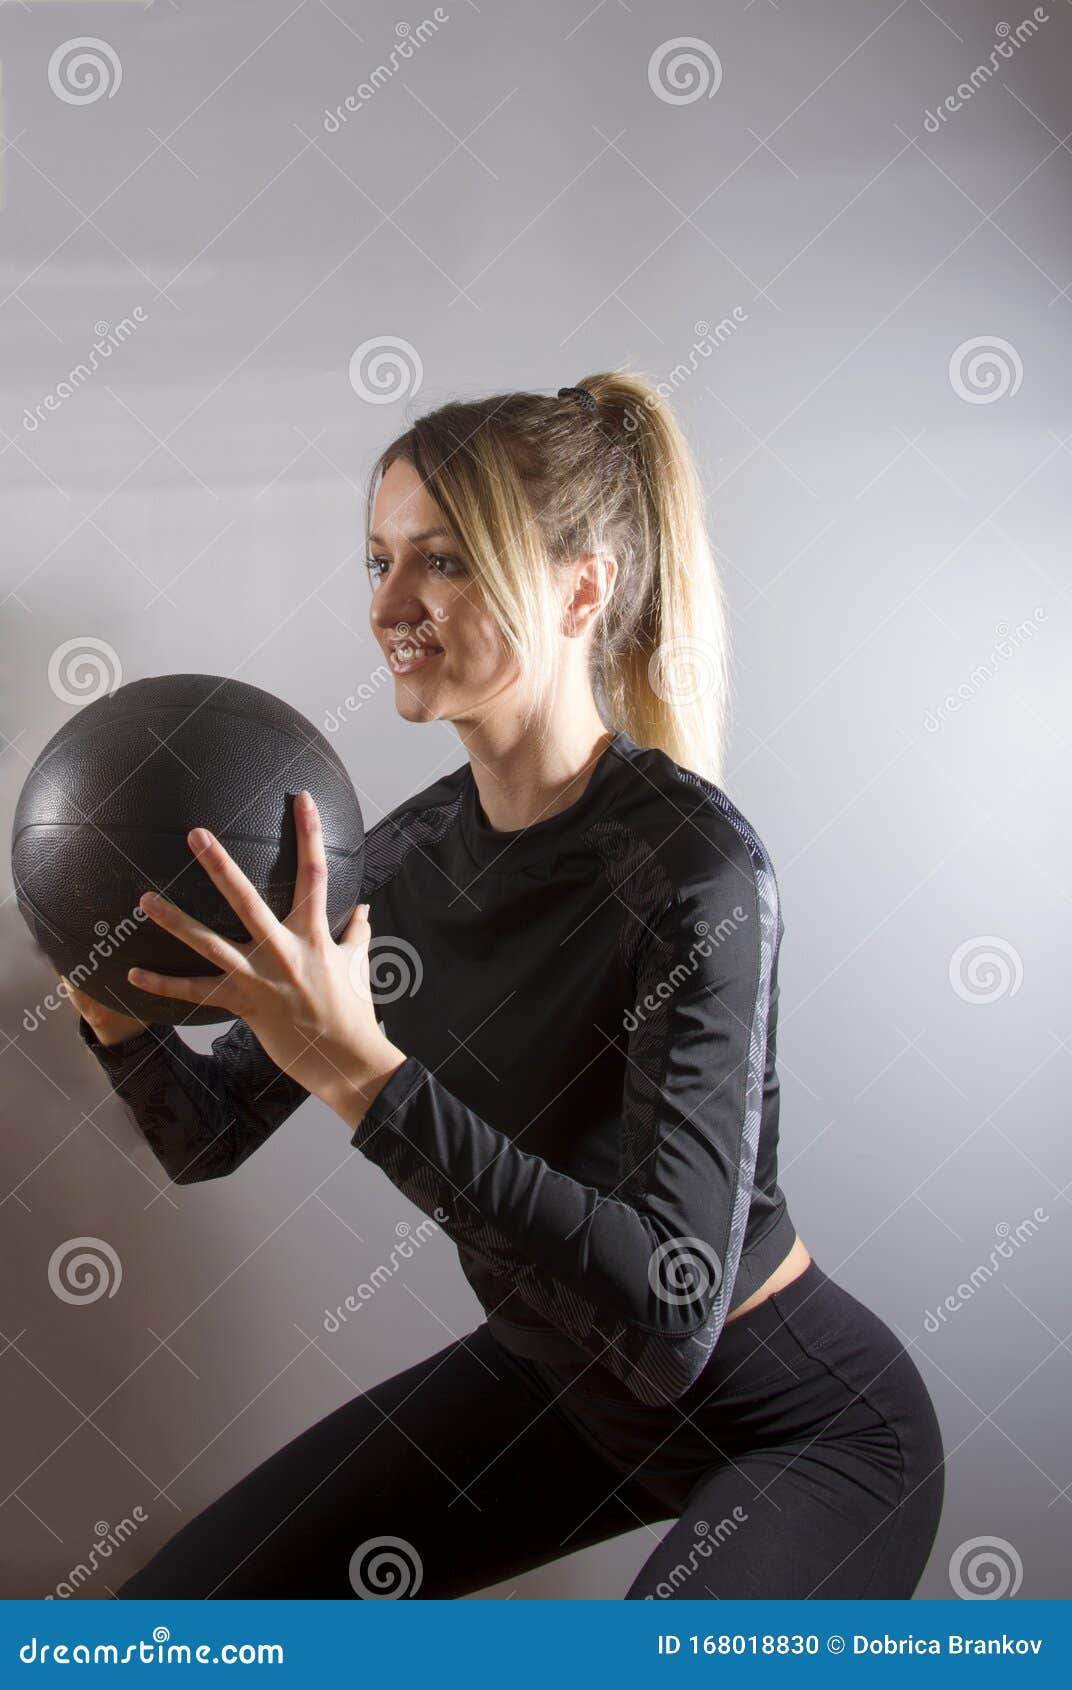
579	1086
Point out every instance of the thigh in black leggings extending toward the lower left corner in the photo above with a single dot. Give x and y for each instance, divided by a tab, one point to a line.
437	1483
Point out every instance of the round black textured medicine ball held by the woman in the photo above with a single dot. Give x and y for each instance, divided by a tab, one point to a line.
107	807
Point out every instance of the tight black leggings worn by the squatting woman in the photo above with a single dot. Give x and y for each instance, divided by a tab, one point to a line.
806	1463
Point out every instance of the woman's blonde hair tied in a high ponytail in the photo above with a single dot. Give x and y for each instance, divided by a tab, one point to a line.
530	482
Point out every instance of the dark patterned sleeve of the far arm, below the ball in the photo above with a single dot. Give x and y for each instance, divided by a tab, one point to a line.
202	1116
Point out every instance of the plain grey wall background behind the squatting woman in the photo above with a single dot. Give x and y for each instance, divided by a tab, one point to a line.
522	207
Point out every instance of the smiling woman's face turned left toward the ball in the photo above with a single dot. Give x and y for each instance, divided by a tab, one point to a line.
442	646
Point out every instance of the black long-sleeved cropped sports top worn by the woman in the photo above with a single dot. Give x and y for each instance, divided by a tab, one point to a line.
589	1101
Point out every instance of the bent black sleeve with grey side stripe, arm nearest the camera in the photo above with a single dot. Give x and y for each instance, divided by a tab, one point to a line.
640	1277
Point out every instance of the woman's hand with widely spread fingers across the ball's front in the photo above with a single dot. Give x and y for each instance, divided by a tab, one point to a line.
304	996
